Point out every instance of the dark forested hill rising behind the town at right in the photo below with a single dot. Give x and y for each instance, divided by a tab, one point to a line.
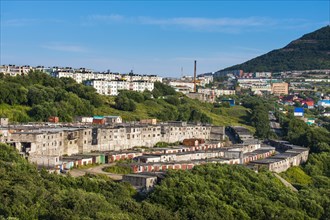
311	51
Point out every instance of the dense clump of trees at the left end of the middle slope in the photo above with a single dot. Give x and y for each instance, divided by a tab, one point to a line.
48	96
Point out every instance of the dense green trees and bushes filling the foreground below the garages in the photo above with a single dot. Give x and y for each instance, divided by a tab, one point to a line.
212	191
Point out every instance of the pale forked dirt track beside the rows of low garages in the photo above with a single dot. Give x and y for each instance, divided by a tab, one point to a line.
96	170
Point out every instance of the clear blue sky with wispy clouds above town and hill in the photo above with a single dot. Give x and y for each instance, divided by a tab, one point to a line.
152	37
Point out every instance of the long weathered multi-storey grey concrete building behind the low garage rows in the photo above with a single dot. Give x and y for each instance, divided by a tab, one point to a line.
43	143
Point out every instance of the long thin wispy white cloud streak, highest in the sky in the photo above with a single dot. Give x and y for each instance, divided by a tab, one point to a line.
220	24
